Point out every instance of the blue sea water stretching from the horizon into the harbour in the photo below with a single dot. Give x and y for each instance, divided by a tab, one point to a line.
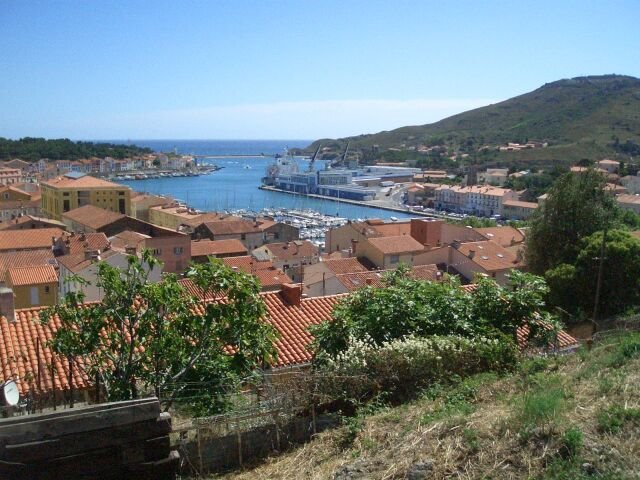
235	185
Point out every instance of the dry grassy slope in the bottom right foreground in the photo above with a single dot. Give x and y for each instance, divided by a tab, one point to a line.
545	421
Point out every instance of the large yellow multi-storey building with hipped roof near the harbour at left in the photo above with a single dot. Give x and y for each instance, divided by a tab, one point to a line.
77	190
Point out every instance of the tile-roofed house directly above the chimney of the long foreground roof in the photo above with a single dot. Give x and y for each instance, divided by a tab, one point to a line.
290	257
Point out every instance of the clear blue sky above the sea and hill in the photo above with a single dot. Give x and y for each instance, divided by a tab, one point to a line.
289	69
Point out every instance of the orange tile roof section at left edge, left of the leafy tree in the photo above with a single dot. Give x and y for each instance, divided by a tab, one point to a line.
20	341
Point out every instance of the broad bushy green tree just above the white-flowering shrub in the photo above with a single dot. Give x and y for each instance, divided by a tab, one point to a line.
413	307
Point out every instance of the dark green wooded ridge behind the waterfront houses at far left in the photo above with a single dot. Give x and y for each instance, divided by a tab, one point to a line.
33	149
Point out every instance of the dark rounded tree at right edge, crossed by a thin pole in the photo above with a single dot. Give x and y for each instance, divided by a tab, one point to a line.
573	286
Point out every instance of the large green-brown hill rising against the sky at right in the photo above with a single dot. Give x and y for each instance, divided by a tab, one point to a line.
579	118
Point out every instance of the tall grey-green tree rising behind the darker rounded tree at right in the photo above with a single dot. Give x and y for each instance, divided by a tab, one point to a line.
577	206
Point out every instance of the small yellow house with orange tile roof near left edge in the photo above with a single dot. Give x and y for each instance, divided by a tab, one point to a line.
33	286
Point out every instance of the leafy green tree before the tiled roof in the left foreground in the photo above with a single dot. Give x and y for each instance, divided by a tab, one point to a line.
147	336
